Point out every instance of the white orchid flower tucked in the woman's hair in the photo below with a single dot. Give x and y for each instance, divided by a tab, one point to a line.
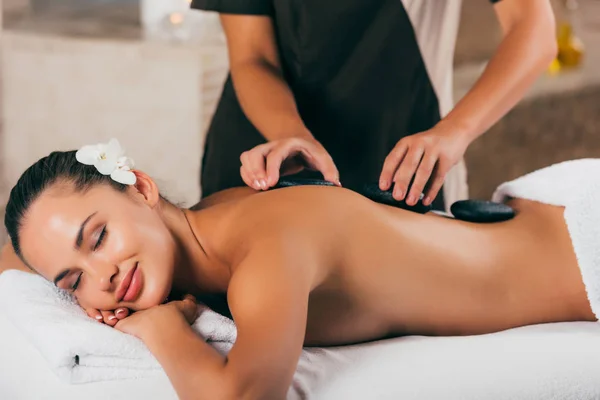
109	159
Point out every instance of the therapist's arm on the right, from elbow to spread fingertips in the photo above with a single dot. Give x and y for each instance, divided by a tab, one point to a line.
528	47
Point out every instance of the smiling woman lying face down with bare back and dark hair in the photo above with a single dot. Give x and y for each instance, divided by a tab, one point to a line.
300	266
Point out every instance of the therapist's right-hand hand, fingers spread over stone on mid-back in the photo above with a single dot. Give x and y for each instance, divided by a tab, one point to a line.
426	156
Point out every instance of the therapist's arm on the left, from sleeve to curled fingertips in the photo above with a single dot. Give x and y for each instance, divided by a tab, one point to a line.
268	102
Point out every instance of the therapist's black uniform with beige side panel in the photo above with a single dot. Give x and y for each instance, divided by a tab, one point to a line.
364	74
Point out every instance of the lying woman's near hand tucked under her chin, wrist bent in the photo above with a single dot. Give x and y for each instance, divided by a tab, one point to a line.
142	323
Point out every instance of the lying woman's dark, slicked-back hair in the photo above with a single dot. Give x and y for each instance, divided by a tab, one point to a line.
59	166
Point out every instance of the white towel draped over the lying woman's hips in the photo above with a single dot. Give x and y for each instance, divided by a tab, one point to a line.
576	186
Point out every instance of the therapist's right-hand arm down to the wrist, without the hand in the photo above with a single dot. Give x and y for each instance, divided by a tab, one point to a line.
528	47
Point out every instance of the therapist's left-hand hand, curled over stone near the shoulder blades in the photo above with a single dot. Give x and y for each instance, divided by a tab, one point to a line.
264	164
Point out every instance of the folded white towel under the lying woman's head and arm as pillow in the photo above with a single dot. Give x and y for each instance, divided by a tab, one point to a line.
79	349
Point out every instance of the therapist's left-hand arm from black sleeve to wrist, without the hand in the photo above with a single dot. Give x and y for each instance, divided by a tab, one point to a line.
255	67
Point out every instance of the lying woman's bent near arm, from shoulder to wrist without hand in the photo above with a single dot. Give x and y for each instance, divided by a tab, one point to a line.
268	297
